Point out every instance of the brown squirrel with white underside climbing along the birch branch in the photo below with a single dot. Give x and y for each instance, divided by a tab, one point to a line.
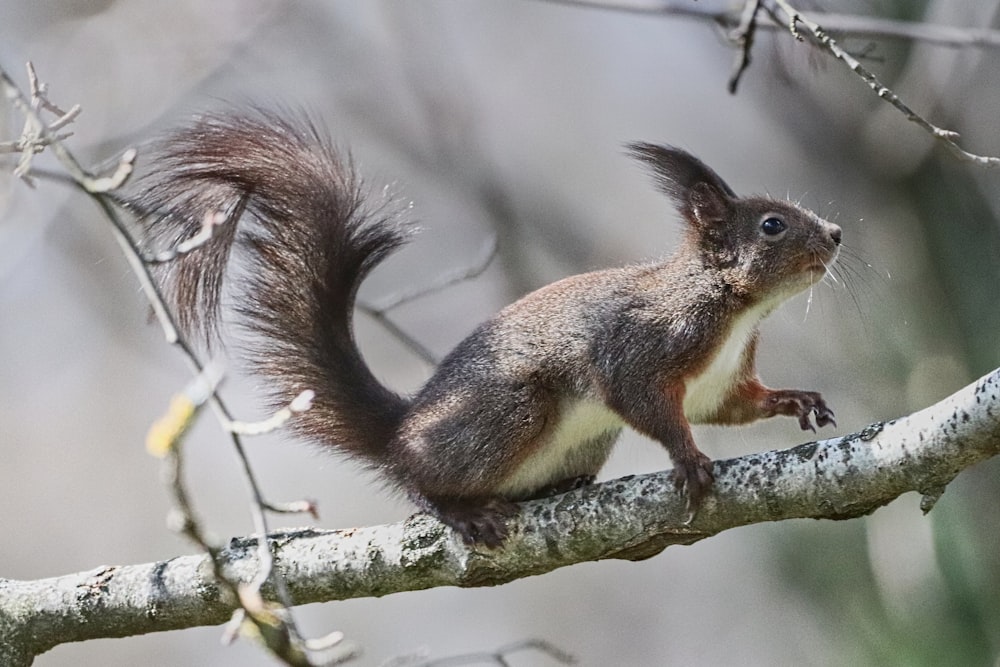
531	402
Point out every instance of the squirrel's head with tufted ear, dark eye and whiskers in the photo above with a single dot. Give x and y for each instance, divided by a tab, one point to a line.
762	245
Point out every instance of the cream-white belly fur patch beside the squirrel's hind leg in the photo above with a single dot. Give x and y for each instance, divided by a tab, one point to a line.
570	451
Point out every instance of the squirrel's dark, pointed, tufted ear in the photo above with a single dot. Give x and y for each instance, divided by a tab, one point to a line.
699	194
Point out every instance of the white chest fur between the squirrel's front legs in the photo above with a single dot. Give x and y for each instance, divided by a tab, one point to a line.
705	392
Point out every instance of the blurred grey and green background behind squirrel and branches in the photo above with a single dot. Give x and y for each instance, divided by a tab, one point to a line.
507	119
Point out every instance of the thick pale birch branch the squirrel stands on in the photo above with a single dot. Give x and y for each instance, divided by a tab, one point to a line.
629	518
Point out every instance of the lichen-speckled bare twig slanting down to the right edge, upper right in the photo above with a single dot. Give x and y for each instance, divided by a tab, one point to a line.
825	41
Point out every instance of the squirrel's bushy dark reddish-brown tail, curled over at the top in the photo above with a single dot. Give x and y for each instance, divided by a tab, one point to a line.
312	234
